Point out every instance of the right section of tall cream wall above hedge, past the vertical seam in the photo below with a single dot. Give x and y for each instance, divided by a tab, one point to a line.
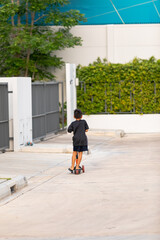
125	42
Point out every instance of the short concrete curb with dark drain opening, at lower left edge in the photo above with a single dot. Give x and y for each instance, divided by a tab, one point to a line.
9	187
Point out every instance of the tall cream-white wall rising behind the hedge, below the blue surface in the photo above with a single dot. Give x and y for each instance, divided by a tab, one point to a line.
117	43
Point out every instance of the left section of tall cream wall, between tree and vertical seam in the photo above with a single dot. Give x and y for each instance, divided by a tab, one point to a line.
94	44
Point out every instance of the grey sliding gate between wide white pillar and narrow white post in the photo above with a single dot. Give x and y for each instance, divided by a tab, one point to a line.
45	108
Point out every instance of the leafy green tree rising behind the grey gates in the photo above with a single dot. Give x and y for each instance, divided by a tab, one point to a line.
27	41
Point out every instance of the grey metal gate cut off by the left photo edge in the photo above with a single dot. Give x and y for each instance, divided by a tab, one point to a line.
4	115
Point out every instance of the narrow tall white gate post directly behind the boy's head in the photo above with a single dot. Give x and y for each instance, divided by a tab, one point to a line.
71	91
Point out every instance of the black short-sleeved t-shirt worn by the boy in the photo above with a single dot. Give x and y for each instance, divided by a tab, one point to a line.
78	128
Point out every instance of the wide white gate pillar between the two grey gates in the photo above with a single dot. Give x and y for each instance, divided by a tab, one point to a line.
20	111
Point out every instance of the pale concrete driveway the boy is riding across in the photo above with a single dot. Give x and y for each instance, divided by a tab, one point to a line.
118	198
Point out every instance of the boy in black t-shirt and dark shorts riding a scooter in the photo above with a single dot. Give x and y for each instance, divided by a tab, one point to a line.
80	143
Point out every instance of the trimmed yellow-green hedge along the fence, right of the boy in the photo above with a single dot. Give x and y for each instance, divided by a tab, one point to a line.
133	87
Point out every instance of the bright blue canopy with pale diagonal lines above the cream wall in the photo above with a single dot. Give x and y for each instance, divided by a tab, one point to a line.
117	11
